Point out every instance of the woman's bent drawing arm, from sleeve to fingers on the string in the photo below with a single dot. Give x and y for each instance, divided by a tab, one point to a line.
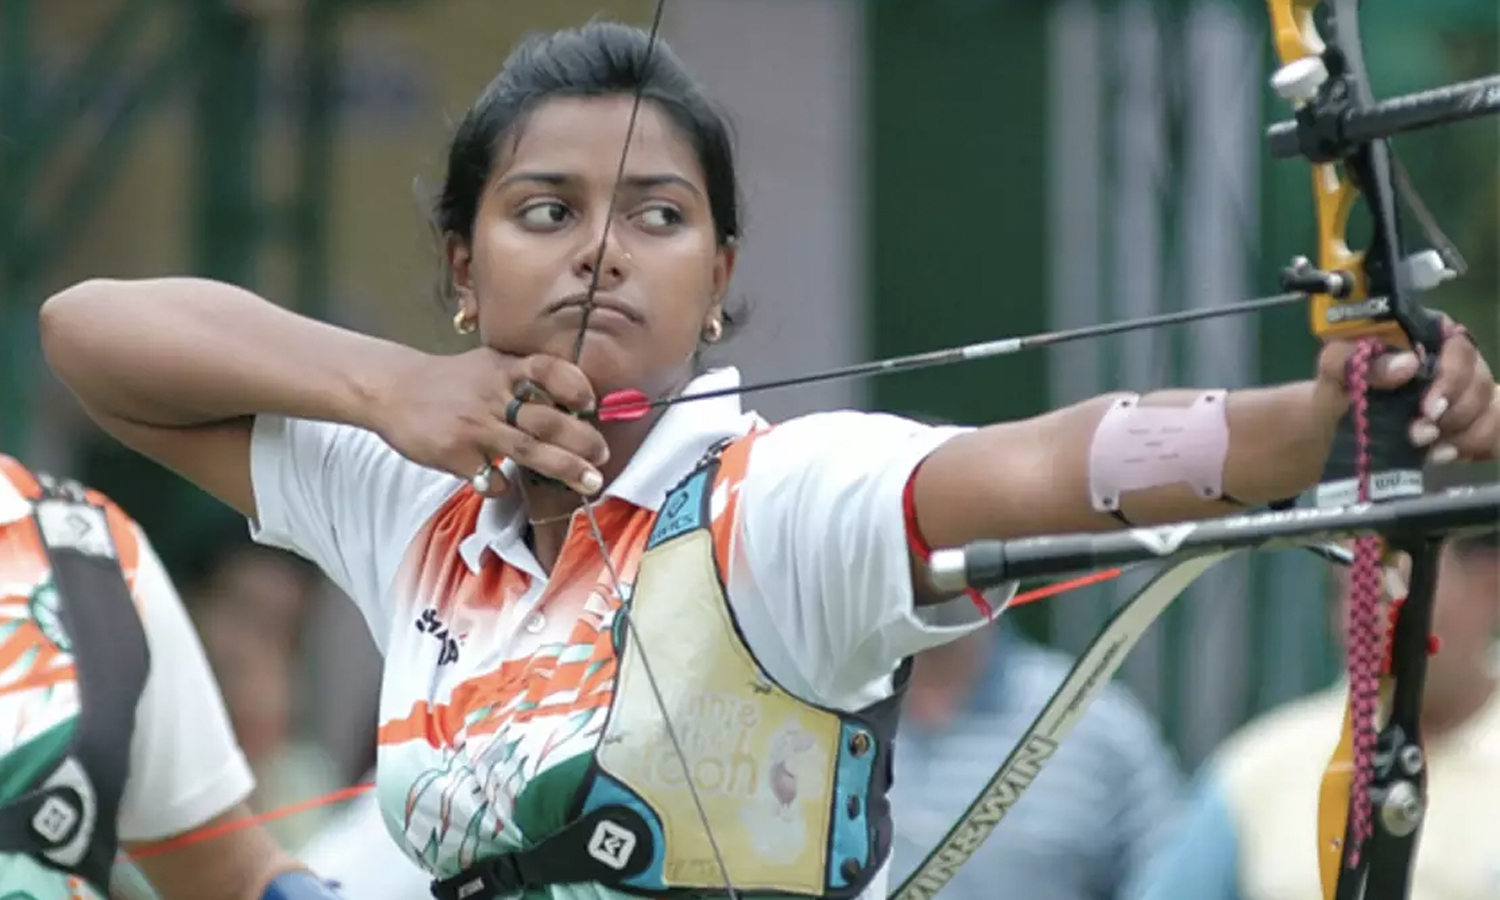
179	370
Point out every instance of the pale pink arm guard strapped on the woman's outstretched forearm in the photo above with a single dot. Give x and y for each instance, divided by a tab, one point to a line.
1139	448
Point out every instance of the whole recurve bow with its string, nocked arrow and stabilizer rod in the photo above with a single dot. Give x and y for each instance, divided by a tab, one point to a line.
1369	295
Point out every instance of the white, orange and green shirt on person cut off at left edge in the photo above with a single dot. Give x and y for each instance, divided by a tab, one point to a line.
185	764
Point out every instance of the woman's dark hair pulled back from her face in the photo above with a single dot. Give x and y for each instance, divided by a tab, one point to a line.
599	59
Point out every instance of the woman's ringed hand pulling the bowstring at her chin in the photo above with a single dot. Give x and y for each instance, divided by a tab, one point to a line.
451	416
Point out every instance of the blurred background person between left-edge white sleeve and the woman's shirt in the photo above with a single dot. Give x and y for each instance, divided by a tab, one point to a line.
251	607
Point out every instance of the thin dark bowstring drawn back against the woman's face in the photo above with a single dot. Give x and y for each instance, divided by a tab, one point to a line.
616	584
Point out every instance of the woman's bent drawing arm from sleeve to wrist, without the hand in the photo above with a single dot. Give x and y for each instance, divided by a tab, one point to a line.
179	368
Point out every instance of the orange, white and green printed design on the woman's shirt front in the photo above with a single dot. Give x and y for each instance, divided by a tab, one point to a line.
514	728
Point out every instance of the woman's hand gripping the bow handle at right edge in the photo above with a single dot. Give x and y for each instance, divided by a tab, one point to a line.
1460	413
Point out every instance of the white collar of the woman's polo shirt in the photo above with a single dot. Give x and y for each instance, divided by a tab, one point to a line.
676	443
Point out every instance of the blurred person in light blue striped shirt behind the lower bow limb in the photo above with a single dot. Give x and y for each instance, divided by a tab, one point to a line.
1088	821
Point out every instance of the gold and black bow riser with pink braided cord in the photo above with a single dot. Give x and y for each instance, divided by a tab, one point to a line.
1373	793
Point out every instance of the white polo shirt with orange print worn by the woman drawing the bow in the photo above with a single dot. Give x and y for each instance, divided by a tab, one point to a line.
493	665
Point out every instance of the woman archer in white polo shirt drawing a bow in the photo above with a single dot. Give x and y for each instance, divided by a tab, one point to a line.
655	655
